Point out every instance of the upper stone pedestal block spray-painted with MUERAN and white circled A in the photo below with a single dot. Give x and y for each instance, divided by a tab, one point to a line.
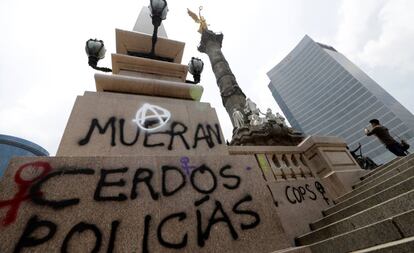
105	124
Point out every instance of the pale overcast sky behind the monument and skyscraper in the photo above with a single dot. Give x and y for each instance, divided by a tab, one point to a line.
43	65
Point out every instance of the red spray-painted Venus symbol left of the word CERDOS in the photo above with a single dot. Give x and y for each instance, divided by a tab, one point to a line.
36	170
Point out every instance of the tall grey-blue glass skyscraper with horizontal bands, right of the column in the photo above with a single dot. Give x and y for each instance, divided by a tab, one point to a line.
321	92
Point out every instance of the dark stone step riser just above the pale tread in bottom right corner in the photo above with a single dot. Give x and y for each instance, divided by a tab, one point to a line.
382	232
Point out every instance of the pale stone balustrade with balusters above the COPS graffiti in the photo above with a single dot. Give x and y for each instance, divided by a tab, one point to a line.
324	158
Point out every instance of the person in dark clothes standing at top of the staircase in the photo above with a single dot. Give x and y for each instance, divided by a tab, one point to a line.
384	136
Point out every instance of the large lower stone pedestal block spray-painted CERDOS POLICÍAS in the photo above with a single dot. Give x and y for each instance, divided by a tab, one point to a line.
141	204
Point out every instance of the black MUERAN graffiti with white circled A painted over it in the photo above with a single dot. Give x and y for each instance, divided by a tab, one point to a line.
152	126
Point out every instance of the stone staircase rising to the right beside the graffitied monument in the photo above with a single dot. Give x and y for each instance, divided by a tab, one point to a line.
377	216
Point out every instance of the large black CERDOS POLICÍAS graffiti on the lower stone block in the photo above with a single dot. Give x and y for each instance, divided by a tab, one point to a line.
126	184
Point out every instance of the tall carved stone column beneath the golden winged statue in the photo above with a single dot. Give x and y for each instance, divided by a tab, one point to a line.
231	94
